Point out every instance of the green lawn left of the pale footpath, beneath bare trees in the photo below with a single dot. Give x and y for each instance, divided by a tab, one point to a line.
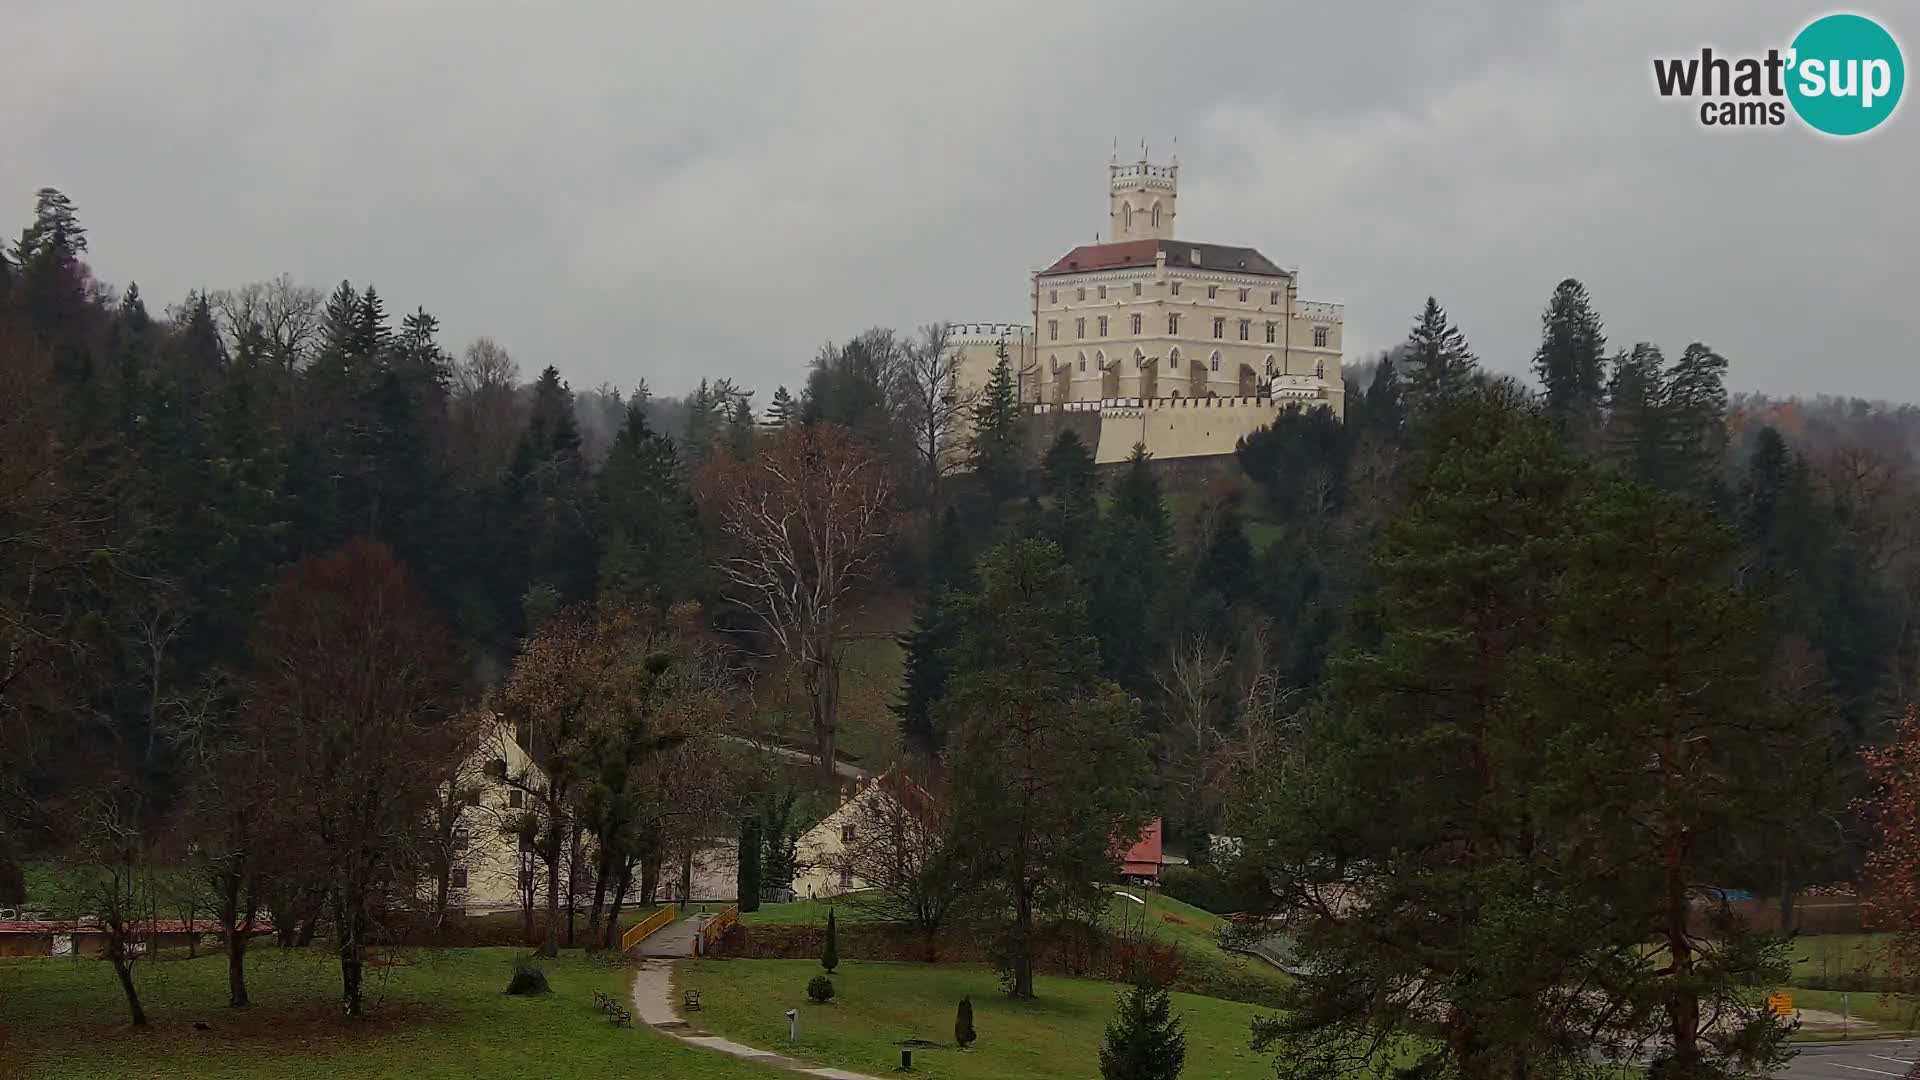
441	1016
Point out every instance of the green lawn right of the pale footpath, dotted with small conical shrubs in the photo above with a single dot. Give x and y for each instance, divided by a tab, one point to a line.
880	1004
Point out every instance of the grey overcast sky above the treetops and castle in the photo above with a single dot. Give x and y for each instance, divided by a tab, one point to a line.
673	191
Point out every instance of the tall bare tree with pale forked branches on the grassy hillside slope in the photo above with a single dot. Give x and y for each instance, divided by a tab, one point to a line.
805	522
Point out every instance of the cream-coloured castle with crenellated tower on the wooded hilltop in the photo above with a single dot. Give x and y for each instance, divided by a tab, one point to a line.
1178	345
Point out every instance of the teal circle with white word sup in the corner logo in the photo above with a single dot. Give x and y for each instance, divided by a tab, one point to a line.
1846	74
